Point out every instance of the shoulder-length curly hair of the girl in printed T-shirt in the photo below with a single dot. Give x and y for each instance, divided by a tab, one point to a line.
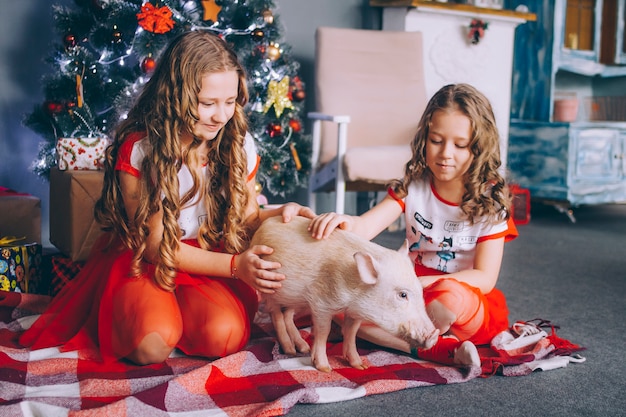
486	193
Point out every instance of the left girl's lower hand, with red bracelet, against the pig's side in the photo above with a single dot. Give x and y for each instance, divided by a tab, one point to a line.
257	272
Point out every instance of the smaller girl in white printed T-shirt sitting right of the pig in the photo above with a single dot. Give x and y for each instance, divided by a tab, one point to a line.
456	207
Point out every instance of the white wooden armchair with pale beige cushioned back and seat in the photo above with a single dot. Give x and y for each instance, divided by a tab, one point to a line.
369	97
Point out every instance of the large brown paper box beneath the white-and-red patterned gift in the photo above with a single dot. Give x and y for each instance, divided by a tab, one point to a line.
73	195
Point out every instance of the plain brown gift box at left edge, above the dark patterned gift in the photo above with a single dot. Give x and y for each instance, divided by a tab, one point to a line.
20	215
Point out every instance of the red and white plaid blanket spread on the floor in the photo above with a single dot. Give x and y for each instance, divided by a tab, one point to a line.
258	381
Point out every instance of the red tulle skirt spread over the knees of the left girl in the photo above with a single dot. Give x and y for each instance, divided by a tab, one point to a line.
104	313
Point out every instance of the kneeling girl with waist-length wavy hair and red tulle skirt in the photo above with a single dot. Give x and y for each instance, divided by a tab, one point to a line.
178	205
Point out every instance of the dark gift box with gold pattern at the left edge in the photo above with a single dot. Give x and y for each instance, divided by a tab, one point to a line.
21	268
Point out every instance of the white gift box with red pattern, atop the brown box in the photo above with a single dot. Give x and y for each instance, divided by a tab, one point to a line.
81	153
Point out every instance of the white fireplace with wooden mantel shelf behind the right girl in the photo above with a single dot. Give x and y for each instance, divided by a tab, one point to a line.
450	56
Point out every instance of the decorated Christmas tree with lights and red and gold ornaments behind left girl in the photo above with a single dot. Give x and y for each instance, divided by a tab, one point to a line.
107	49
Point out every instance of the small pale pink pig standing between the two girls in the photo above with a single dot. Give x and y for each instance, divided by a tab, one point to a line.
344	273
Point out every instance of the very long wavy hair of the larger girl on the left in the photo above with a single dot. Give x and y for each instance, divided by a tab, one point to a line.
167	108
